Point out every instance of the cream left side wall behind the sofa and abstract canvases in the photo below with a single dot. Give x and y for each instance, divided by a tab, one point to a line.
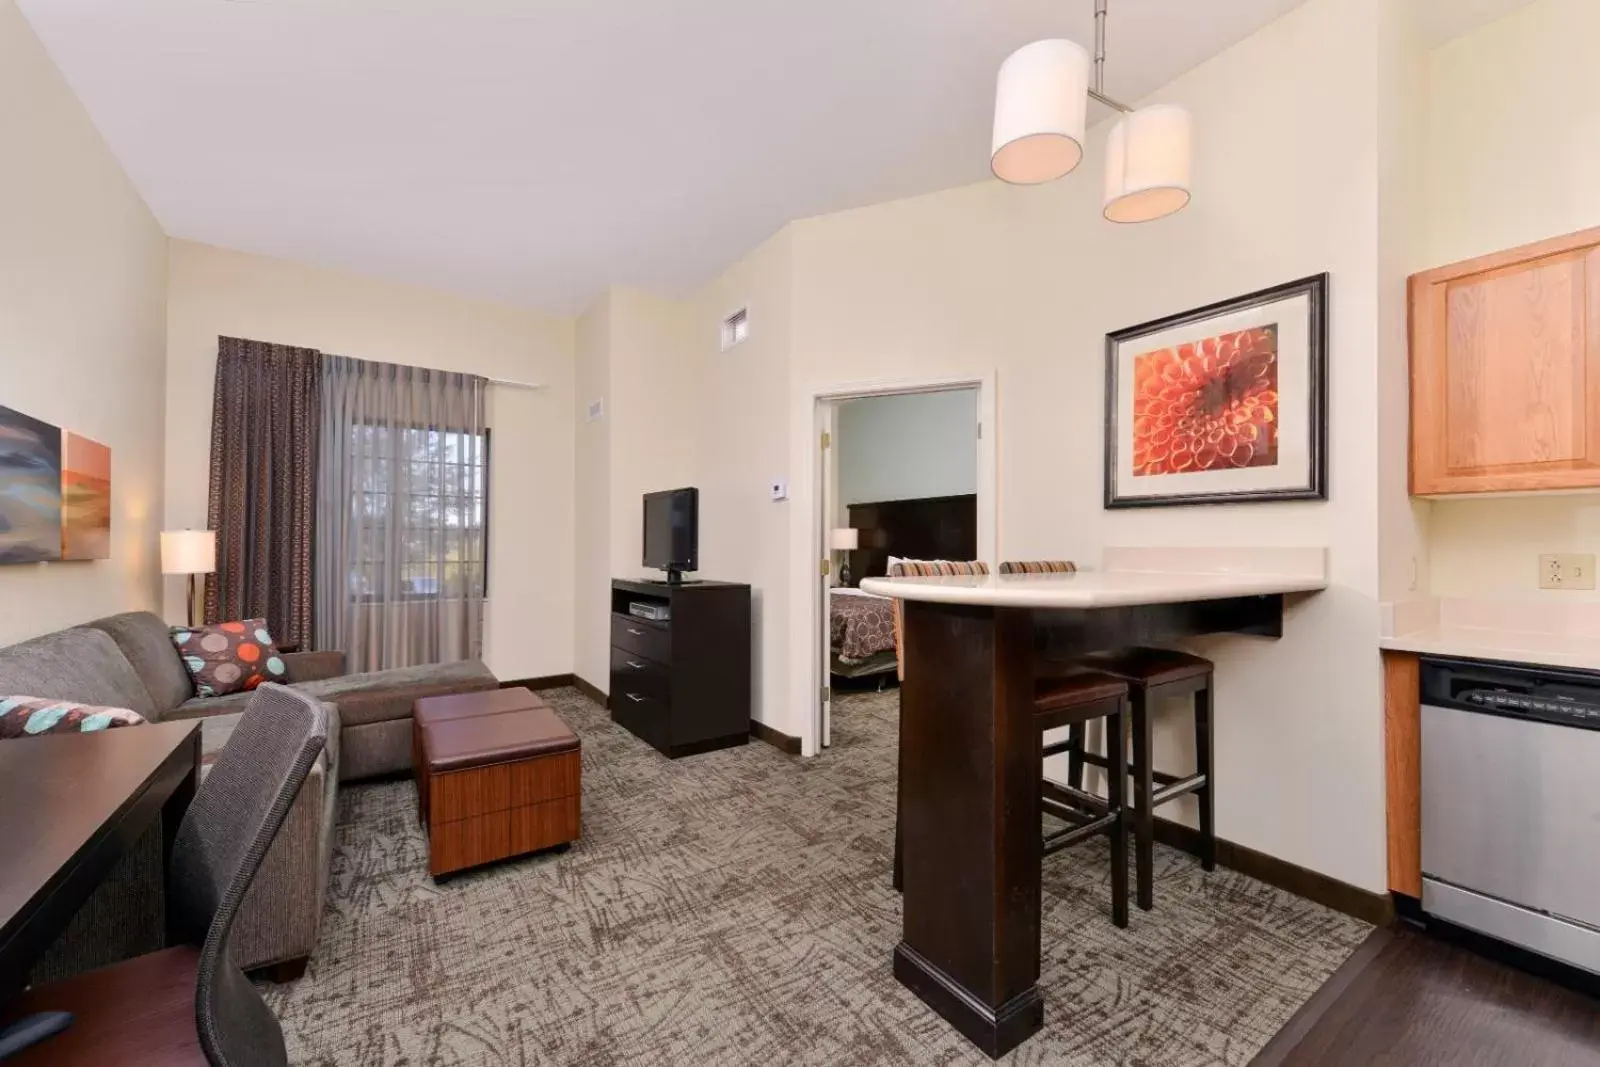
82	329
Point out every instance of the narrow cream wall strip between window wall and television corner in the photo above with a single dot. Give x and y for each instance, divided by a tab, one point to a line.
593	498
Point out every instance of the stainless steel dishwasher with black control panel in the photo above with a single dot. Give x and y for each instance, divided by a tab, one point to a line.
1511	805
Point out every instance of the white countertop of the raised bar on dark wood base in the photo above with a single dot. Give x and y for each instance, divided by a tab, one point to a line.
1090	589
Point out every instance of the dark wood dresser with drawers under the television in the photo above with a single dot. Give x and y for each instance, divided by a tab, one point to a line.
682	684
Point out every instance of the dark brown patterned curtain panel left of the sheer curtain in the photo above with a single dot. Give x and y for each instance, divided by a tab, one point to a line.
265	425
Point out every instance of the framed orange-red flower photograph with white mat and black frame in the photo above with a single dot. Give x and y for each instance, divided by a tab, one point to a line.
1222	406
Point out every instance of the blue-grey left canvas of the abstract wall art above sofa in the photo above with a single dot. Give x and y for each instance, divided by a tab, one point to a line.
30	489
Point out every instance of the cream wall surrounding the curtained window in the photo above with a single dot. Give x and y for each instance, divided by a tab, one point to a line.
215	292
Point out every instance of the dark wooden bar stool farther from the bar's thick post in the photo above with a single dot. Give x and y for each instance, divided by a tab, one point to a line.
1154	674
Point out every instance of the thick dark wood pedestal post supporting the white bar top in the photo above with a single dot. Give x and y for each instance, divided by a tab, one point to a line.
970	821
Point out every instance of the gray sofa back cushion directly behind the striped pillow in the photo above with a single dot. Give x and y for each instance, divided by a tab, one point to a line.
79	665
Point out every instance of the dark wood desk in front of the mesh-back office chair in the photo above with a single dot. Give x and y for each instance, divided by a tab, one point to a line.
71	805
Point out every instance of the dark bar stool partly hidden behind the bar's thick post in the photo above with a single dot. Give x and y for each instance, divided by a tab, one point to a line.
1076	701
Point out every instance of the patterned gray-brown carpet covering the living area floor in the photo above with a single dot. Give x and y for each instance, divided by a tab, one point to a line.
737	909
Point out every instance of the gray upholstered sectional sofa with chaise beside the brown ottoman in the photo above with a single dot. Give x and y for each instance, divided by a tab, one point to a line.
130	661
